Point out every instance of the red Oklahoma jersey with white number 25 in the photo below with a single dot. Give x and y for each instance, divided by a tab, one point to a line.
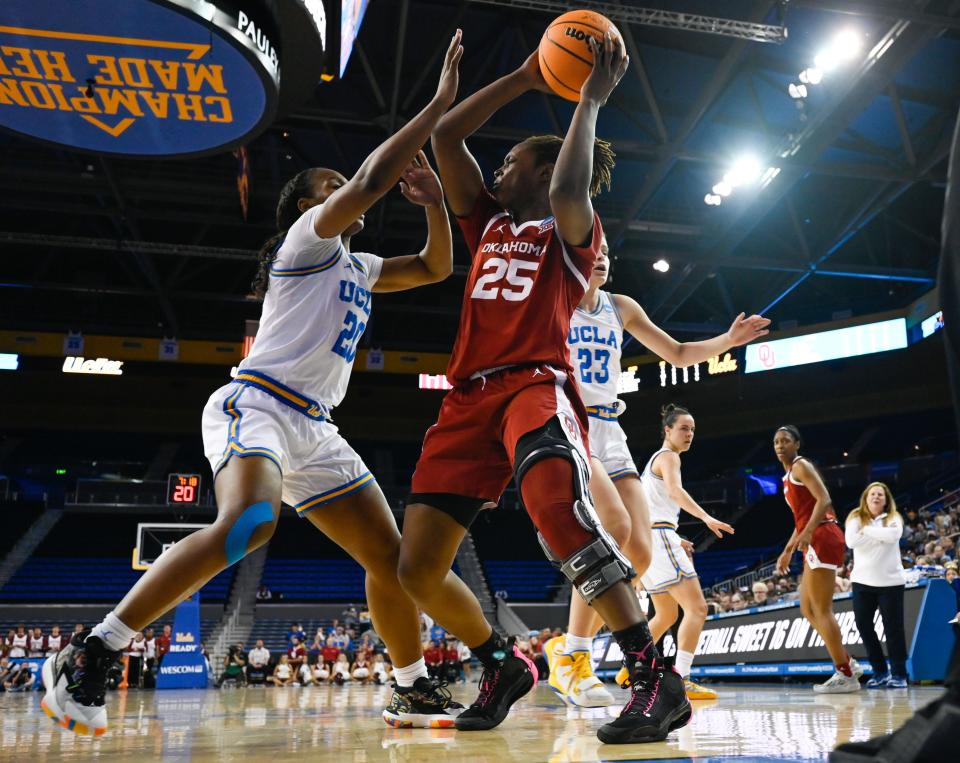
523	286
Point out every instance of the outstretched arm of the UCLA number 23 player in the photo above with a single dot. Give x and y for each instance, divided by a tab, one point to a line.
742	331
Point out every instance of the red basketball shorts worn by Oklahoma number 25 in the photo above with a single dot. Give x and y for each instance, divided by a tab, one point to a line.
470	450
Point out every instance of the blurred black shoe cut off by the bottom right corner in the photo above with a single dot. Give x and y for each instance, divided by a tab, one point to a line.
930	736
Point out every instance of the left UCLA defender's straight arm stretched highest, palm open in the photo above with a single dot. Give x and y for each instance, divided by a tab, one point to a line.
381	169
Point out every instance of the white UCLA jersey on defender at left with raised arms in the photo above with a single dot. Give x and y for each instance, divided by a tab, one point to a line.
314	313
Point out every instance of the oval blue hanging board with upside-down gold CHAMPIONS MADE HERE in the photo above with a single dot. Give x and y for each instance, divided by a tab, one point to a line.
139	77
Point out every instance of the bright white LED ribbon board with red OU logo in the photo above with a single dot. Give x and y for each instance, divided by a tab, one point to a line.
827	345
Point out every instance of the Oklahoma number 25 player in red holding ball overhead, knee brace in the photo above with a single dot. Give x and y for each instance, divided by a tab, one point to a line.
515	409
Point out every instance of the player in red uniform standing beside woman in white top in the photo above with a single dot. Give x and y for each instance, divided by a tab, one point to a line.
818	536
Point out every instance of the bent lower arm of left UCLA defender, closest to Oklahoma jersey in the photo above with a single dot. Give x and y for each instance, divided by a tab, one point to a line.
420	185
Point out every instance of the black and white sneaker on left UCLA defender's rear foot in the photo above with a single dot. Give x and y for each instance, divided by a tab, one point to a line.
75	683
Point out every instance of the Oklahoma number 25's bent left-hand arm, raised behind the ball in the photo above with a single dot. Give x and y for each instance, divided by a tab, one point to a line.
459	171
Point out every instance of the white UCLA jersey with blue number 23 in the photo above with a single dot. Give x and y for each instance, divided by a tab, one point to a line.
595	341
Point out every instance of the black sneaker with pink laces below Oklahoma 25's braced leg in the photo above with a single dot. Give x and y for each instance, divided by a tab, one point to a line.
658	704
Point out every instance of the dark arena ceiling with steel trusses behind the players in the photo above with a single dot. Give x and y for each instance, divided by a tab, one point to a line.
849	223
